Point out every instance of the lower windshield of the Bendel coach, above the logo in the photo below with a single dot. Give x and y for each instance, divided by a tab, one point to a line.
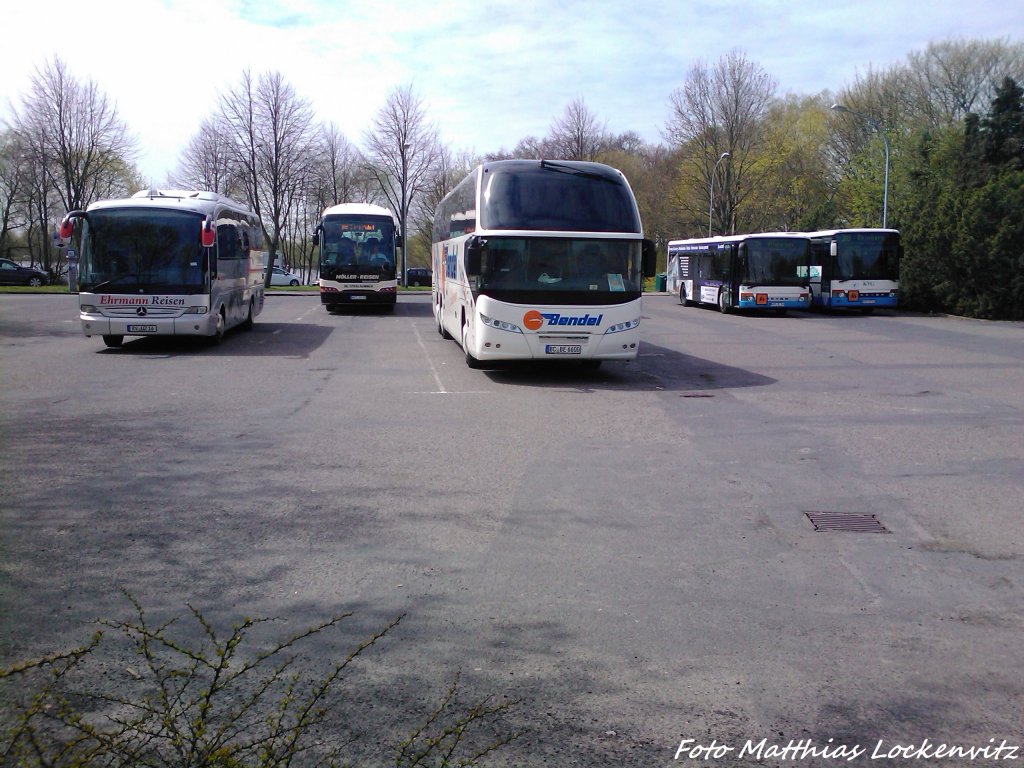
568	271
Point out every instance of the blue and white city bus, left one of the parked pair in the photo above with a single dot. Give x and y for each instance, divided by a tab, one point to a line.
767	271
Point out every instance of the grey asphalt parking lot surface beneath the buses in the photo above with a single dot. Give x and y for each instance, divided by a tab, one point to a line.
628	552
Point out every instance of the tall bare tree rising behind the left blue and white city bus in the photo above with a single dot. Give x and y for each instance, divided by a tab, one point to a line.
721	110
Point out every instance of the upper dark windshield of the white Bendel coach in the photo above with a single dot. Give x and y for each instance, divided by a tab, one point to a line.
557	198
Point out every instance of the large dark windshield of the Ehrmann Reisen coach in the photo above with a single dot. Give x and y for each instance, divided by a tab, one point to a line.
127	250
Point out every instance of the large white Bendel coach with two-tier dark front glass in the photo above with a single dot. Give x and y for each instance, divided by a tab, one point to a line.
537	260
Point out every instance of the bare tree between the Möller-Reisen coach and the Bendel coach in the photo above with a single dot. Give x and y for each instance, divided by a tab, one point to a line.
402	151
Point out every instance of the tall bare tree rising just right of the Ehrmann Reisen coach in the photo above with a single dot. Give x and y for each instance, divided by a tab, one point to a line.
272	138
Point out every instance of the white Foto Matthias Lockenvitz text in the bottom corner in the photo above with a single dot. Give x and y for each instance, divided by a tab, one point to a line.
806	748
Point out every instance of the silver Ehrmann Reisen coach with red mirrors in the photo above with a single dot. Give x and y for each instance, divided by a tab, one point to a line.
167	264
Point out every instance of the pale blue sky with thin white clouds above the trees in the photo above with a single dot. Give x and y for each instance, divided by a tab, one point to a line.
489	73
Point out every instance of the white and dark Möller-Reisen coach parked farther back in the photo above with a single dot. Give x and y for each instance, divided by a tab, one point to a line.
358	259
